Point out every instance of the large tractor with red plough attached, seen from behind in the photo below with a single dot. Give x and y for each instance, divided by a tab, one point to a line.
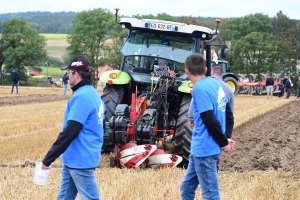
146	111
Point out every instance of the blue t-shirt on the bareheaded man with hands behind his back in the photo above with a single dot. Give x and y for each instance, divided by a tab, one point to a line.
208	95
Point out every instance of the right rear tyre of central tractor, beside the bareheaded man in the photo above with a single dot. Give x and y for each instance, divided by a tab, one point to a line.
183	135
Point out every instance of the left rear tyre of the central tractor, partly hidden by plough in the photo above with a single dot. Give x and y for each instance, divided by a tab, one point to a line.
112	96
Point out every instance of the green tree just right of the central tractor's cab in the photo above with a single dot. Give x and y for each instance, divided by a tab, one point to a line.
252	48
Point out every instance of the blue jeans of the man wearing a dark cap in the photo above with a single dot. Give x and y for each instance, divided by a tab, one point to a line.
80	181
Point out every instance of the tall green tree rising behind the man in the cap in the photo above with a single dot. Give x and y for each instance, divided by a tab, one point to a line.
89	35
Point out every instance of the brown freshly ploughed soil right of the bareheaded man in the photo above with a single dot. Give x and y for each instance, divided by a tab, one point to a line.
270	141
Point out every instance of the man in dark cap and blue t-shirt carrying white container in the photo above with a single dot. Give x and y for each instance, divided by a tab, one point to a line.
81	138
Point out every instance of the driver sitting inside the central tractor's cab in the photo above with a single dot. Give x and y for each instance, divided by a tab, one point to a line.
165	67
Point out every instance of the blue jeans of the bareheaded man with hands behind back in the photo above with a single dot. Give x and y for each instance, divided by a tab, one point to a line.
203	171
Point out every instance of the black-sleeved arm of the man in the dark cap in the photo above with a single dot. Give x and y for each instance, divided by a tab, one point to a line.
63	141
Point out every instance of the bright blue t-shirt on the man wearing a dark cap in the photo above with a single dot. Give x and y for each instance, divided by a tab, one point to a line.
87	108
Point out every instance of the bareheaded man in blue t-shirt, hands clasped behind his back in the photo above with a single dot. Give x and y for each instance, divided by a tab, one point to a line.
208	137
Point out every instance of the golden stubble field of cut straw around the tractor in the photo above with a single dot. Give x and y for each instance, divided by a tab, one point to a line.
28	131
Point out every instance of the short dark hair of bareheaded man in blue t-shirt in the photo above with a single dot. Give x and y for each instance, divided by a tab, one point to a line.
195	64
